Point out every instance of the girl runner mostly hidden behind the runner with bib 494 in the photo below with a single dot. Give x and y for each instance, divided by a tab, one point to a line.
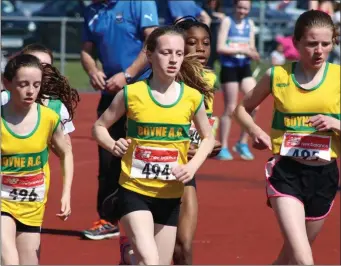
197	43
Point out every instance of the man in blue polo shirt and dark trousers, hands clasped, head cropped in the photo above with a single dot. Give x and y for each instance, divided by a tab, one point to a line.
117	30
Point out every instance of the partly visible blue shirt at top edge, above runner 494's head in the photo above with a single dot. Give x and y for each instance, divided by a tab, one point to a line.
183	8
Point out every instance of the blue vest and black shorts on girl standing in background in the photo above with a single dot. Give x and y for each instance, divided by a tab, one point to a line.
236	67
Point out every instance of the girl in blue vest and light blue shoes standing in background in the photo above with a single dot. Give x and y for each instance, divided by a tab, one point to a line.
236	46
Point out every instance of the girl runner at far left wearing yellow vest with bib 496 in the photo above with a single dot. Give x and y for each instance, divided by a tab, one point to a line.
27	128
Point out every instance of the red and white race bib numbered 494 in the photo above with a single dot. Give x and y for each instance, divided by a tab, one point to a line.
154	163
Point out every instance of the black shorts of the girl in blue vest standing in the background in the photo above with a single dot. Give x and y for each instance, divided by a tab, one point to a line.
234	74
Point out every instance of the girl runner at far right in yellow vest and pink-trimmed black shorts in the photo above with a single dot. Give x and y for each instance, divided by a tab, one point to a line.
302	177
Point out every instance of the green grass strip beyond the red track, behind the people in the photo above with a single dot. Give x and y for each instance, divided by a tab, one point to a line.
80	80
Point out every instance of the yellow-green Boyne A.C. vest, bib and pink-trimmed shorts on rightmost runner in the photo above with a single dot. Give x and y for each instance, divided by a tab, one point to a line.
292	137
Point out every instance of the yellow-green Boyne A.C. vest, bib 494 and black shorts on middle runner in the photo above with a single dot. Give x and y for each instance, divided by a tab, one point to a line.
160	141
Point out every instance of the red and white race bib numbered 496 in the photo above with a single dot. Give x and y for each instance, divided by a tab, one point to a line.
23	188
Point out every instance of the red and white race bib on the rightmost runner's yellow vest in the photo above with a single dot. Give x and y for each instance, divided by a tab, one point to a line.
307	147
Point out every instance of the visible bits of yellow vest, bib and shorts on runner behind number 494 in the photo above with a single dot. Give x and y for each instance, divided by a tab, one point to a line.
211	79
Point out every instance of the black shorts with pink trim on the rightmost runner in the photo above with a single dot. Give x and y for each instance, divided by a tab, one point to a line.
314	186
